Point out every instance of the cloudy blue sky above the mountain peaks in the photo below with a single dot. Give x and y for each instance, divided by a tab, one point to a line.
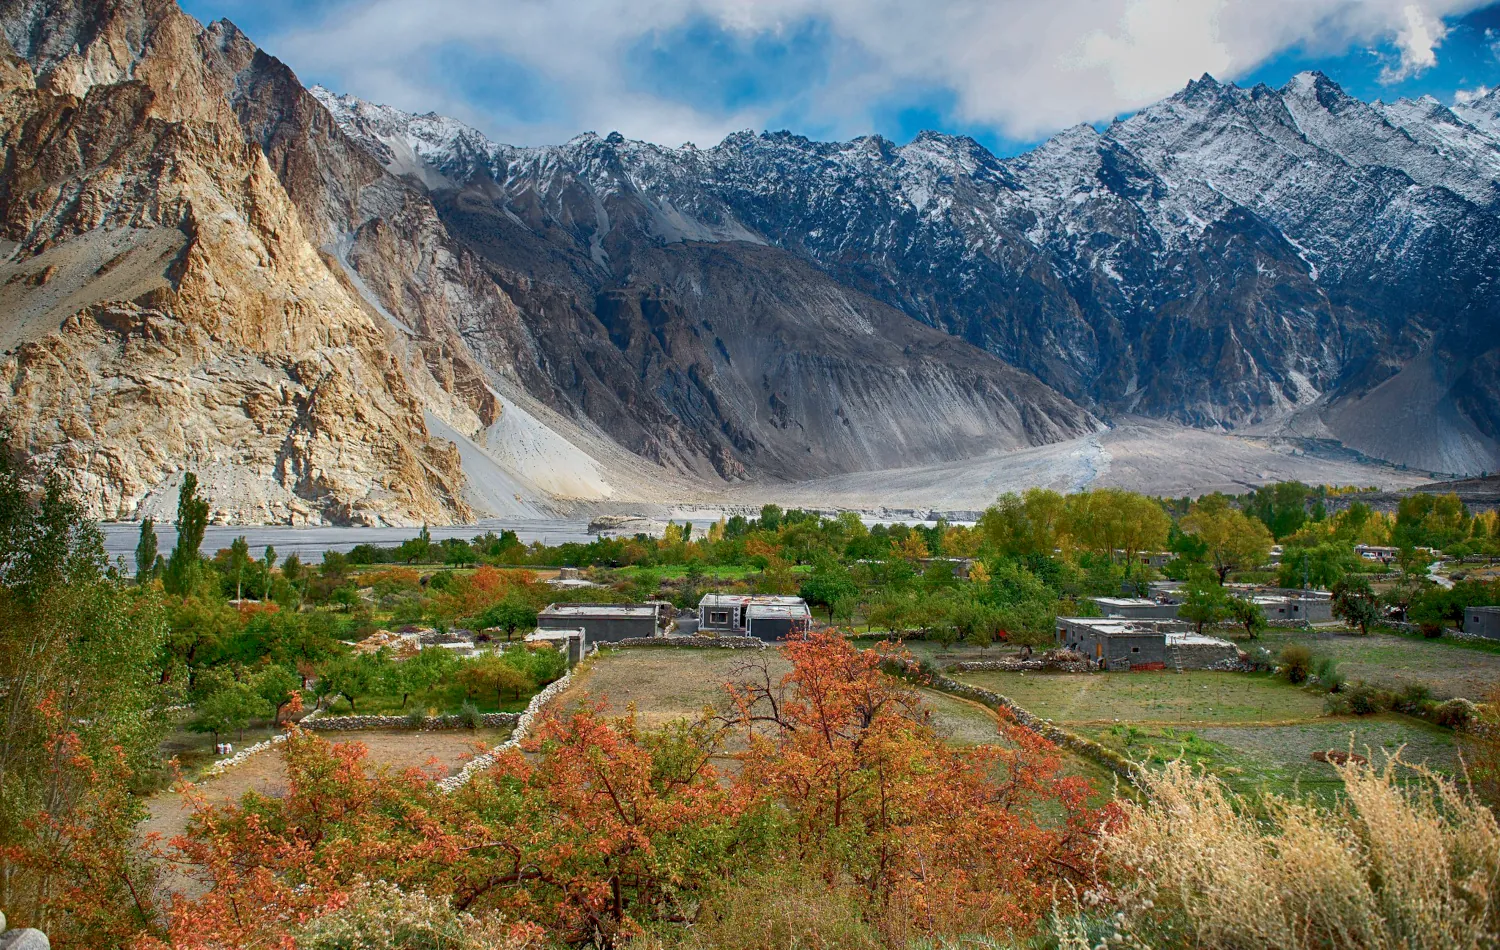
1009	73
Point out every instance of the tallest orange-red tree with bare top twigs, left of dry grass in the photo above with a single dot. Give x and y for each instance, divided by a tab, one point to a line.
940	840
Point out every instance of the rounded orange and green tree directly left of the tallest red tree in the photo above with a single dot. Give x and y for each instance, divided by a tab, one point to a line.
614	828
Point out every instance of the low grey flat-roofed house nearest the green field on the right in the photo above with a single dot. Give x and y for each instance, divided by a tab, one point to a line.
1120	645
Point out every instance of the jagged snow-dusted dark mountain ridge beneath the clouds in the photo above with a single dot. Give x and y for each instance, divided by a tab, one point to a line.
1229	257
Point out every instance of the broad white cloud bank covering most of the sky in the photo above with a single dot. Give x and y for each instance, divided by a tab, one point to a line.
1024	68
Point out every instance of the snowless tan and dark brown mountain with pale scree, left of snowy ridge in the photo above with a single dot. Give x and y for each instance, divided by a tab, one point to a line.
299	325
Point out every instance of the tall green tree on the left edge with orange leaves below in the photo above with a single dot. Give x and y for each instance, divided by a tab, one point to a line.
79	654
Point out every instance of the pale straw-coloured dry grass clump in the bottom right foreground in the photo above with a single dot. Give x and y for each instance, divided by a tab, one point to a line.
1405	862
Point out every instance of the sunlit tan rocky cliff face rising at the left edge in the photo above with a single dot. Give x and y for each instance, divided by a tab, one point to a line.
167	305
